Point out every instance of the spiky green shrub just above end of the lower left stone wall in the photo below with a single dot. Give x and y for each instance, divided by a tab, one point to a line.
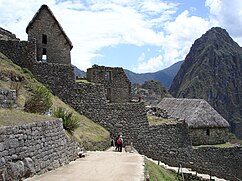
70	123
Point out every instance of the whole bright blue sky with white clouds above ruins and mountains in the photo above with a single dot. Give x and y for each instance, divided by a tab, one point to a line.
139	35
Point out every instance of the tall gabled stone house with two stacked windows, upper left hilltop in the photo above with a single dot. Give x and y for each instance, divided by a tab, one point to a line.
53	45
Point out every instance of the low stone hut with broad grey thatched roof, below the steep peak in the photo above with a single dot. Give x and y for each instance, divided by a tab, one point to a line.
206	125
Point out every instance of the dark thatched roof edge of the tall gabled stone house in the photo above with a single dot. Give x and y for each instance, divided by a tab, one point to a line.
58	24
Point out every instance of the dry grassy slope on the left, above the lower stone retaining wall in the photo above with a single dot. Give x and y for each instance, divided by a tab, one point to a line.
90	135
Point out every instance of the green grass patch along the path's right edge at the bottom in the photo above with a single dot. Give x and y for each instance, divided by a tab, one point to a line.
158	173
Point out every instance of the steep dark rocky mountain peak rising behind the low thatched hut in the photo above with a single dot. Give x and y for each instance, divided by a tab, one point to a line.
212	71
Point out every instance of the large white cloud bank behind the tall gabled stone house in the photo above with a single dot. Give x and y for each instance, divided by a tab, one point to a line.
94	25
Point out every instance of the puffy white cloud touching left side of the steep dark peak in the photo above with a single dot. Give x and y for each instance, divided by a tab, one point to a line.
178	37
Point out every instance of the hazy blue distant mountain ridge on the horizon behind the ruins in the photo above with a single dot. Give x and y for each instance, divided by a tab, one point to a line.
165	76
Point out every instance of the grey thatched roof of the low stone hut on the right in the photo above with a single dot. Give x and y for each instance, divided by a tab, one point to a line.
196	112
